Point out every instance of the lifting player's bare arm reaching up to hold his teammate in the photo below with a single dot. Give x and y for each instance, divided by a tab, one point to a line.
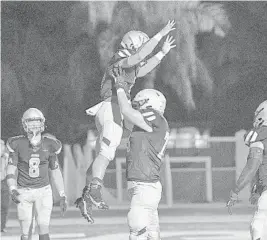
130	114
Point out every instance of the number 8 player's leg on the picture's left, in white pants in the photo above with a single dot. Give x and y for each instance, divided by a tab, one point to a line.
25	214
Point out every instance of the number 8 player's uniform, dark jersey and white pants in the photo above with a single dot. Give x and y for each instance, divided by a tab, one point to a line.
33	183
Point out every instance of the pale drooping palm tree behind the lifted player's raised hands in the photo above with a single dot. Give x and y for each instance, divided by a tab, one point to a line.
183	69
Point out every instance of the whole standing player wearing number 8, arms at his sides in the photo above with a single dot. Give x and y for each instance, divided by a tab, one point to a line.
32	155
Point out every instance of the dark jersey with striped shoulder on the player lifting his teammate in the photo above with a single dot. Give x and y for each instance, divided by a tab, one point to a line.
146	149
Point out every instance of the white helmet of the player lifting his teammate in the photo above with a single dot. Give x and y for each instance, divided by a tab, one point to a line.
150	98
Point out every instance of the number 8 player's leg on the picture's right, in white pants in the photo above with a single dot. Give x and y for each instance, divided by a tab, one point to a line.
43	207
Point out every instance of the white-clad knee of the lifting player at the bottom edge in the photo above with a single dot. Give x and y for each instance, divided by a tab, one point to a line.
137	221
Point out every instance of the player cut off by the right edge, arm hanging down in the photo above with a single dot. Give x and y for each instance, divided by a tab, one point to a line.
256	166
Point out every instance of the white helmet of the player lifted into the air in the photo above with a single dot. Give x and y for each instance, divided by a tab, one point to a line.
133	40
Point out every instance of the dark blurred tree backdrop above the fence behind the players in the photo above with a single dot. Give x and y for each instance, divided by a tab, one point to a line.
54	55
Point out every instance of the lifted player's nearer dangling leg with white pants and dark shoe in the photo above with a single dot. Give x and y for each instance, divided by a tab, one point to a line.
109	122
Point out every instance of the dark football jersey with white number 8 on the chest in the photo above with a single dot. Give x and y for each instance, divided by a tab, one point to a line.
33	163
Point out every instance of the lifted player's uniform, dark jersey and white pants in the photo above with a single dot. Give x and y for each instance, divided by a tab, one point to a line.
109	120
